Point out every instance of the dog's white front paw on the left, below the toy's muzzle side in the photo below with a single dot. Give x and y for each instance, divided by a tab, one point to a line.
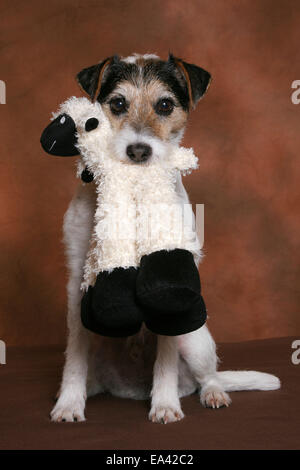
71	410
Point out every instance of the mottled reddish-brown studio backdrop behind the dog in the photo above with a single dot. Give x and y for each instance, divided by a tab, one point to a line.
245	131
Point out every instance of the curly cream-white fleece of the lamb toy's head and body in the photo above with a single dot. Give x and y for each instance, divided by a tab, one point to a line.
138	210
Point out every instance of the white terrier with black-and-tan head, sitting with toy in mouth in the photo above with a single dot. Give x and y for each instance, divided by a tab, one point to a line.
147	101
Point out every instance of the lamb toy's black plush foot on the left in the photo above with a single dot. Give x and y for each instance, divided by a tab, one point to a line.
109	308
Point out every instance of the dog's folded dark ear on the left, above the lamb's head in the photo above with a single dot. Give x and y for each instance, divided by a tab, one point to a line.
90	78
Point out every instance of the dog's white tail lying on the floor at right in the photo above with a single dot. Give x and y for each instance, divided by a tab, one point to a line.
233	381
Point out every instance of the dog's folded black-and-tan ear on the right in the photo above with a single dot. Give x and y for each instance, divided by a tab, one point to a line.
197	79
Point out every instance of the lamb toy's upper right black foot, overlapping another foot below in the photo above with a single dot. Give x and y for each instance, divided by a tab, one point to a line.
168	281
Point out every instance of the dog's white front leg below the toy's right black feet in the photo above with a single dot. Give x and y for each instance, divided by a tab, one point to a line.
165	404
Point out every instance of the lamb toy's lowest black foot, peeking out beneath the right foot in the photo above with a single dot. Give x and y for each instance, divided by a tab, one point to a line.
177	323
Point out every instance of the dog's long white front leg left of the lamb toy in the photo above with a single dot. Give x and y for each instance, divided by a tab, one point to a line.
77	231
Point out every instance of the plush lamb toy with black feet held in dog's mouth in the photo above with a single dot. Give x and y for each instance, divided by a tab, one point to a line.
140	265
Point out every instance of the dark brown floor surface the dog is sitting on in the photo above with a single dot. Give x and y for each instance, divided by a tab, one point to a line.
255	420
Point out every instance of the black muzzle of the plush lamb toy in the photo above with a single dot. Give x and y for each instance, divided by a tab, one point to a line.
59	137
